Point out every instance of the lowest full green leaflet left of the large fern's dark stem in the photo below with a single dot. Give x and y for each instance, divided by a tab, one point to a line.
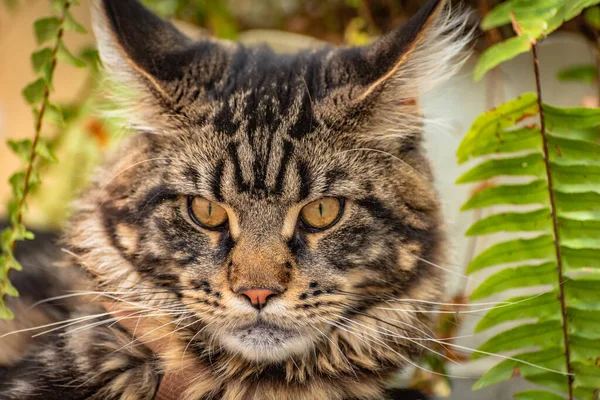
551	358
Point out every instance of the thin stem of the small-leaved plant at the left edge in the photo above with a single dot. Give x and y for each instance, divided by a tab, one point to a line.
38	130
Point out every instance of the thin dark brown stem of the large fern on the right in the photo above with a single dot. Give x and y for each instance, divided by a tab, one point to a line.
561	280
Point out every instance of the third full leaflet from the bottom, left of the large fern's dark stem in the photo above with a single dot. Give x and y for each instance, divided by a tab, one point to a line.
543	307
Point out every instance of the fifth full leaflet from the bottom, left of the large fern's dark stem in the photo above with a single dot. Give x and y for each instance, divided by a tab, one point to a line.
541	247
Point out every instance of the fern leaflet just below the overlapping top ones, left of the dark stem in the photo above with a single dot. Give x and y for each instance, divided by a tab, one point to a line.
531	165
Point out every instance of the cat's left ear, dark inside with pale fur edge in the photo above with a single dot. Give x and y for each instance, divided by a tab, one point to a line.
141	50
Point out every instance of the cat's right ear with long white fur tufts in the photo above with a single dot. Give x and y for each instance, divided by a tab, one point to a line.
387	77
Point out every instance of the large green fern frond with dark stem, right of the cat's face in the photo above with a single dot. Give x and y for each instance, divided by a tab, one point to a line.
559	329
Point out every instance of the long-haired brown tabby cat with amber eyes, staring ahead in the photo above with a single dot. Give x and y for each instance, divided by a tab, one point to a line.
270	231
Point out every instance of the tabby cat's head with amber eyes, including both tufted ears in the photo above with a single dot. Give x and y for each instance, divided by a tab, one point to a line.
272	203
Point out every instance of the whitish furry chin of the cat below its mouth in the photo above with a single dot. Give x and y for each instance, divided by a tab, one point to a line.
266	344
